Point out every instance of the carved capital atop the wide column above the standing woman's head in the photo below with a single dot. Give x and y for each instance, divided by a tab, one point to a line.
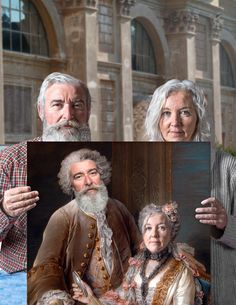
181	22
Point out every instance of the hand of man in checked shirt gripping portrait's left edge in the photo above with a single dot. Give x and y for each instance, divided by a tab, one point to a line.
19	200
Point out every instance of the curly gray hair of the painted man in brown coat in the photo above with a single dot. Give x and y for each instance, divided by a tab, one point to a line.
103	167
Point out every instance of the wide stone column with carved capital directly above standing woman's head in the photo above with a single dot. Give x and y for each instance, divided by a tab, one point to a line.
180	27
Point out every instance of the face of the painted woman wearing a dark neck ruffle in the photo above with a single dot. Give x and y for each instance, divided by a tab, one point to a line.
157	233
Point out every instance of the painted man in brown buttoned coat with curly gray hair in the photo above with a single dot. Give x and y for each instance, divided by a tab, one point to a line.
93	234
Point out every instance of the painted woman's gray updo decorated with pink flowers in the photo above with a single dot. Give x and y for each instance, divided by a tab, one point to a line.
169	210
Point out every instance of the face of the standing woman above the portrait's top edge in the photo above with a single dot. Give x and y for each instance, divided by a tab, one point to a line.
178	121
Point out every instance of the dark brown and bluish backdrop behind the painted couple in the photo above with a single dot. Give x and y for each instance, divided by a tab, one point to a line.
142	172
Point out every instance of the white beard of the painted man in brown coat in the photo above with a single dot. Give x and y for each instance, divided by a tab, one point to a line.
92	202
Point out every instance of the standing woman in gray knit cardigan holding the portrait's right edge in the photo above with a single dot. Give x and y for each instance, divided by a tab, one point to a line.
177	112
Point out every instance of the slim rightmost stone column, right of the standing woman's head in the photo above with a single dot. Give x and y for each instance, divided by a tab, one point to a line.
216	26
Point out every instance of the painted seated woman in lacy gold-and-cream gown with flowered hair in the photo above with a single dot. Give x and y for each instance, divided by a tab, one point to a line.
156	275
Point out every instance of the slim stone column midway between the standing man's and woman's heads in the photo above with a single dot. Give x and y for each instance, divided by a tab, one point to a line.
126	69
